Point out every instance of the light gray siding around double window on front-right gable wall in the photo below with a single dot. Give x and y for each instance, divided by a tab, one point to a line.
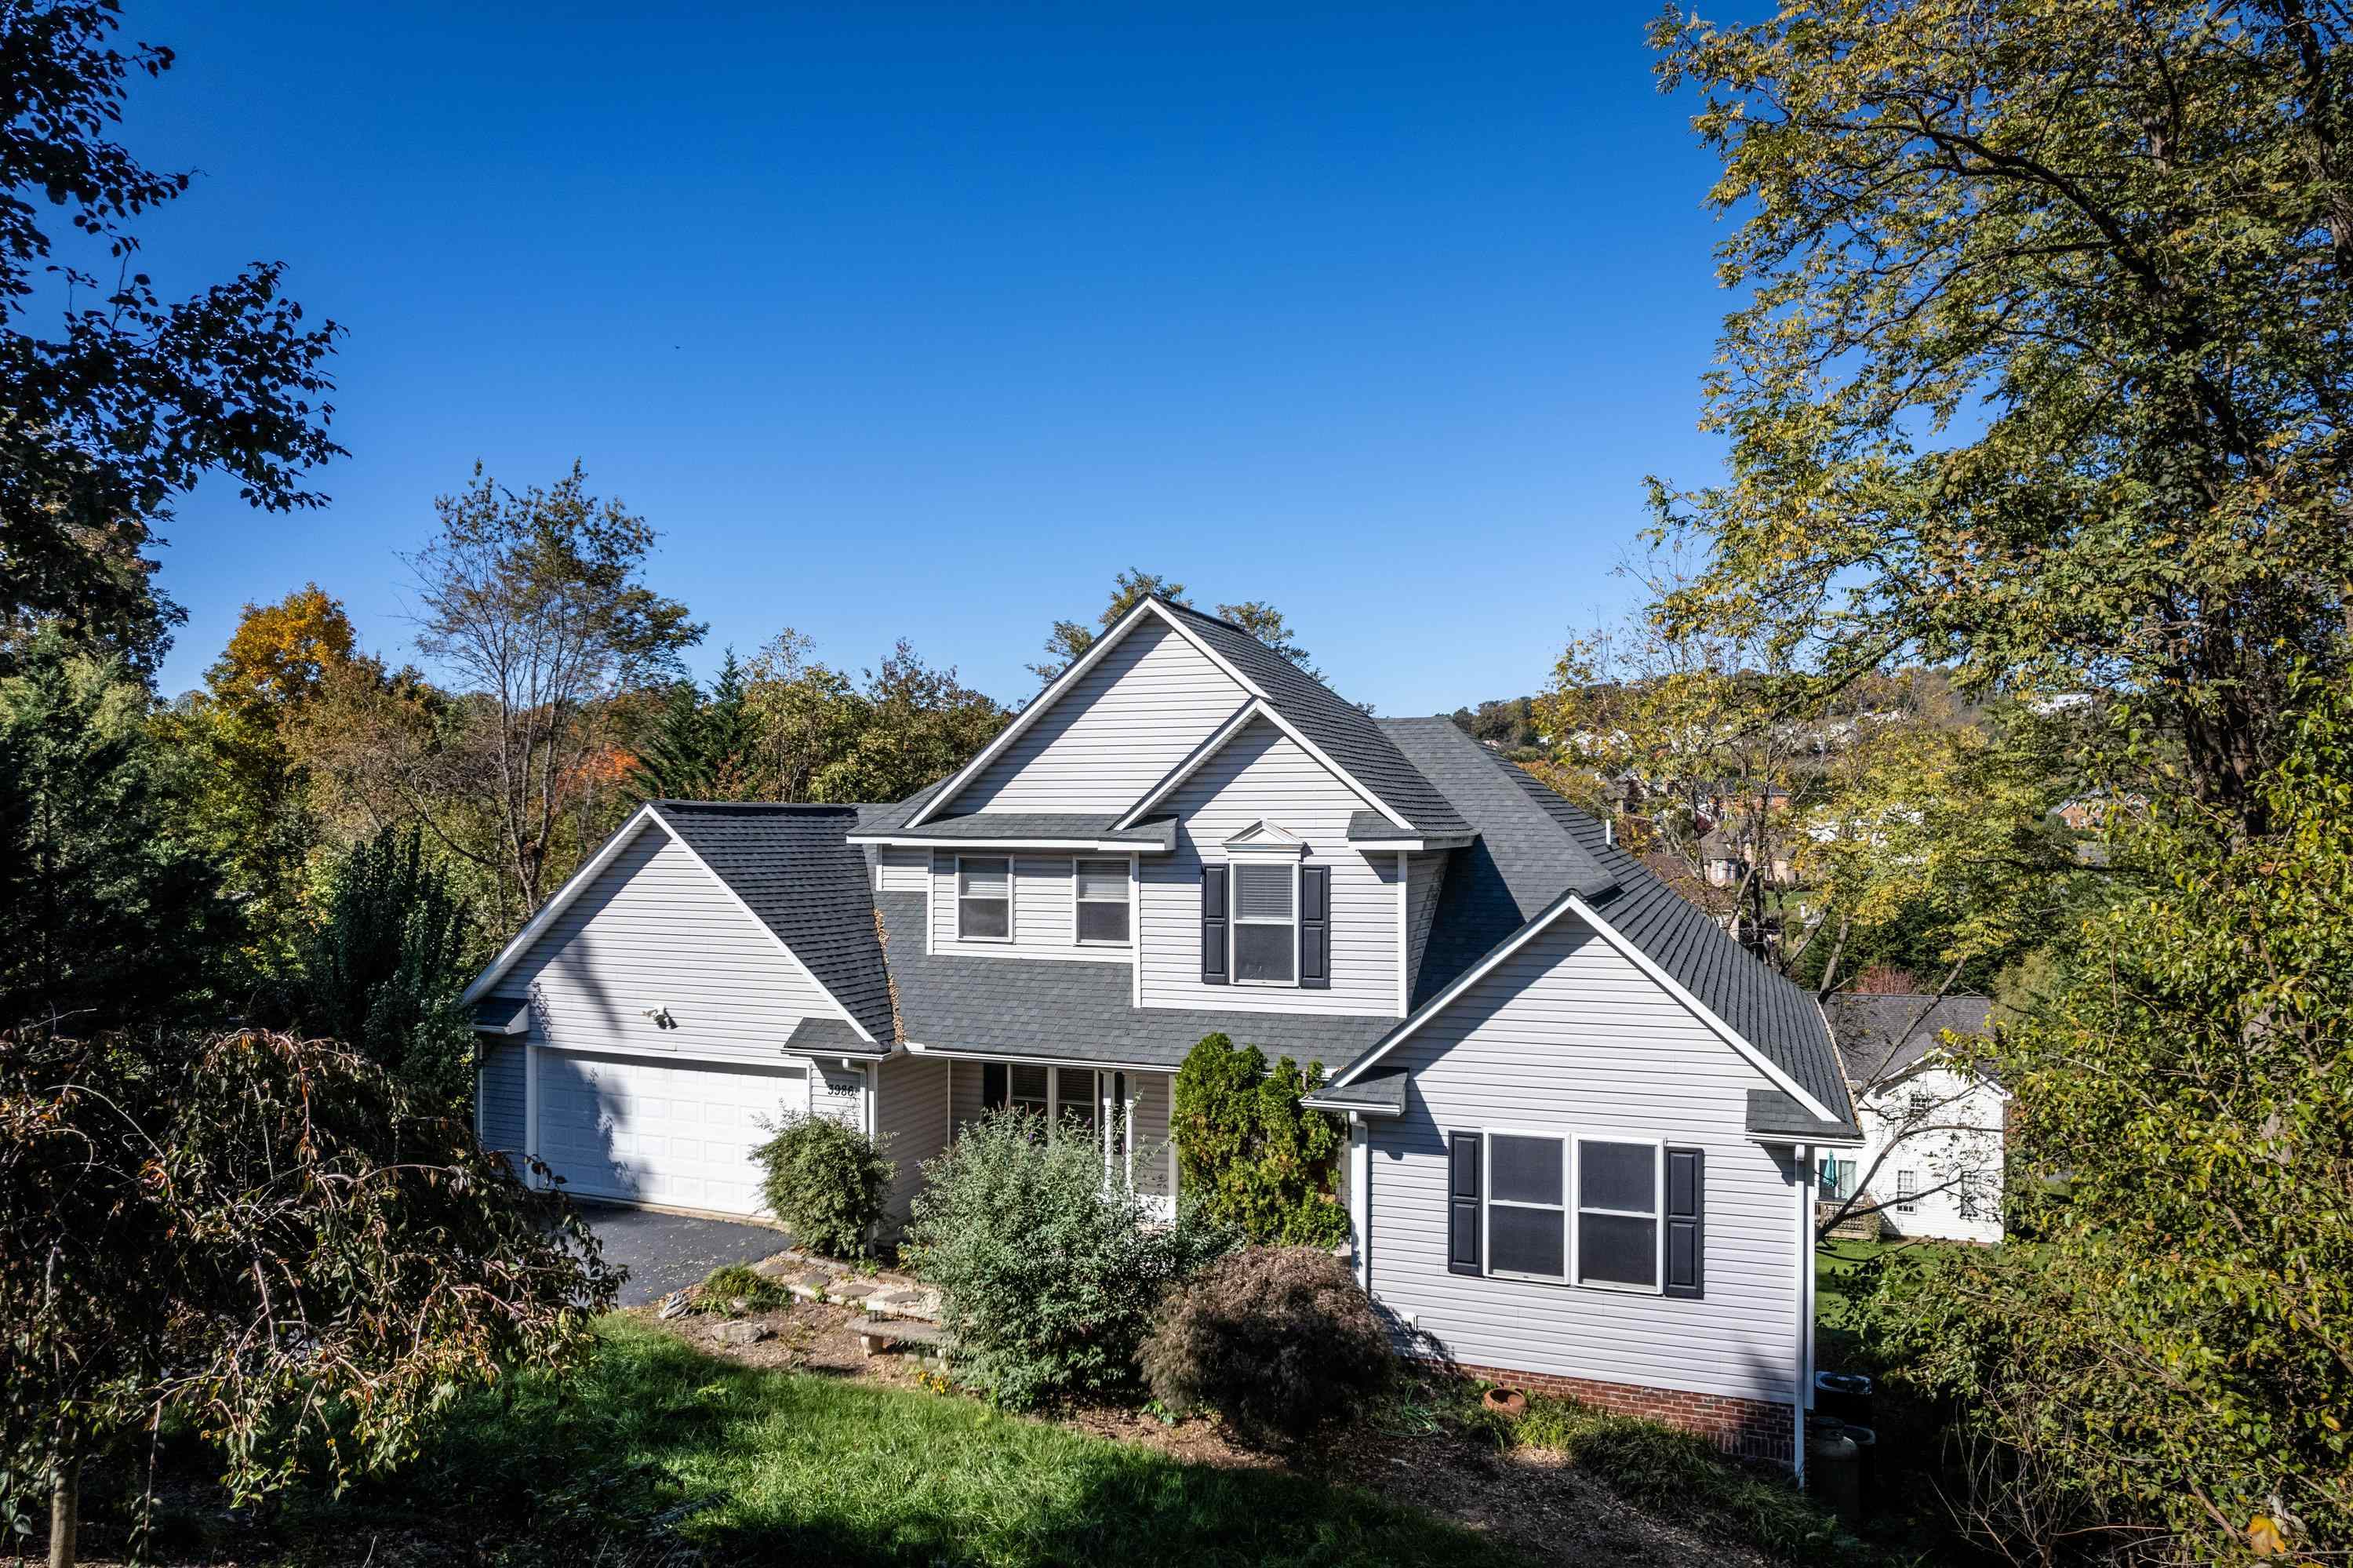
1568	1037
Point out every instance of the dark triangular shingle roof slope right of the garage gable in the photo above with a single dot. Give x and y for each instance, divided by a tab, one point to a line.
796	870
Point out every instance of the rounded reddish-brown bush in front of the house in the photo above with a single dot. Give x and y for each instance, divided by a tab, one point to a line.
1274	1338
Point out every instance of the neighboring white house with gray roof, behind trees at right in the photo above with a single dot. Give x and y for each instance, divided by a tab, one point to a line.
1933	1129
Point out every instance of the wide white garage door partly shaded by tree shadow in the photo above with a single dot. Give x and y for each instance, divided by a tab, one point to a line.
674	1134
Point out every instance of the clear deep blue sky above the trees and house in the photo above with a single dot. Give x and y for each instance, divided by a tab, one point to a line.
924	321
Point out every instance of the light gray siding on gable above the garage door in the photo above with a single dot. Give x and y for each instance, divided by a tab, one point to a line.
658	931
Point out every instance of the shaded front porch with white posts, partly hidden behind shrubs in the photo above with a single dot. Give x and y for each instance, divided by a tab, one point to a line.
1121	1108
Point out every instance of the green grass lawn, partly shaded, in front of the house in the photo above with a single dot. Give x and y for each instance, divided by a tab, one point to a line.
660	1447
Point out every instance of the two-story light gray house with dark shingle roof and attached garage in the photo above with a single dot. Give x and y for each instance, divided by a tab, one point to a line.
1585	1124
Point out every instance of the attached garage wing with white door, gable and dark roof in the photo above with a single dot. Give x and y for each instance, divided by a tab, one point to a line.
655	1016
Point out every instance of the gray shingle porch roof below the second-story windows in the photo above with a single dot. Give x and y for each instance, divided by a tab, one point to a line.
1079	1011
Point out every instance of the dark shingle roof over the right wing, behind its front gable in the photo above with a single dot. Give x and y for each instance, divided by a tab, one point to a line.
1535	846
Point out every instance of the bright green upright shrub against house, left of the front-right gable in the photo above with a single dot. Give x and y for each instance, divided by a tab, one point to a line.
1251	1152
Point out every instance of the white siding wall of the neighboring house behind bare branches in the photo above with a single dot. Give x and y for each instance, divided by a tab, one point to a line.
1966	1148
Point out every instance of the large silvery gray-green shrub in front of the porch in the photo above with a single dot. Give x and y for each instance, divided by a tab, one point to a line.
1048	1275
